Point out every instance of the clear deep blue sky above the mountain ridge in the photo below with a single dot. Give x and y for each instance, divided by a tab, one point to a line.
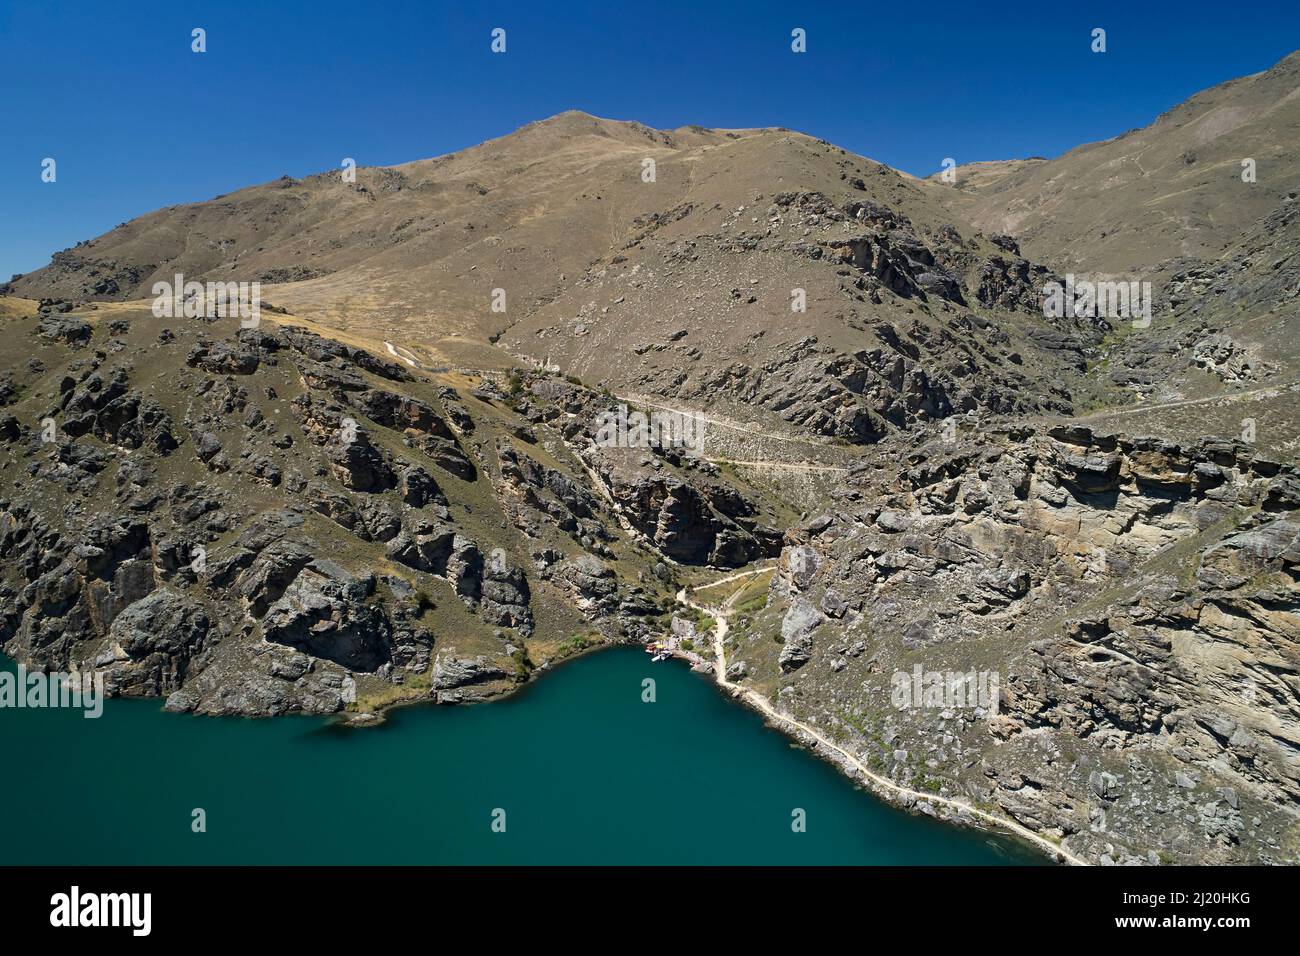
137	122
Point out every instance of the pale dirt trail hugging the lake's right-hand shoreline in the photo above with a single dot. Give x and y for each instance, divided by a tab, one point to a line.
882	786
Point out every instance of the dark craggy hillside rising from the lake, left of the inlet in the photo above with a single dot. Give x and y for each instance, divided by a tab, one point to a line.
263	521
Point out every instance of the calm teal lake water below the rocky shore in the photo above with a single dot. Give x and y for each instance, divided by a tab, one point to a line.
584	771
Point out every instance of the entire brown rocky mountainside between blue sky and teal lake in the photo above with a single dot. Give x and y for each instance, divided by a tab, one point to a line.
391	491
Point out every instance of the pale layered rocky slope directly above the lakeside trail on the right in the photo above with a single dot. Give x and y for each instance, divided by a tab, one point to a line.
1138	600
